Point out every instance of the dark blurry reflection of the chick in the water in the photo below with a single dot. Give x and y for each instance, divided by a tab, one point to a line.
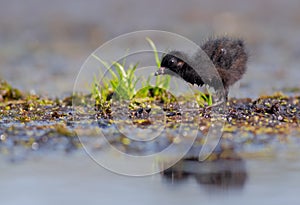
211	175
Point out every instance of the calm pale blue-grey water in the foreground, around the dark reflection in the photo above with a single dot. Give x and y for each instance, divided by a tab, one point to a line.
75	179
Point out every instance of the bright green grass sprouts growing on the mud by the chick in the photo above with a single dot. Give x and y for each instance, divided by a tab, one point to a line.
122	85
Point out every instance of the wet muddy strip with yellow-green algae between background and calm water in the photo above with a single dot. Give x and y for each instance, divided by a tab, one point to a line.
36	124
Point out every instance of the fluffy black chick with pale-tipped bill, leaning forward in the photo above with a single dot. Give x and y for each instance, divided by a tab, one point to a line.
227	55
